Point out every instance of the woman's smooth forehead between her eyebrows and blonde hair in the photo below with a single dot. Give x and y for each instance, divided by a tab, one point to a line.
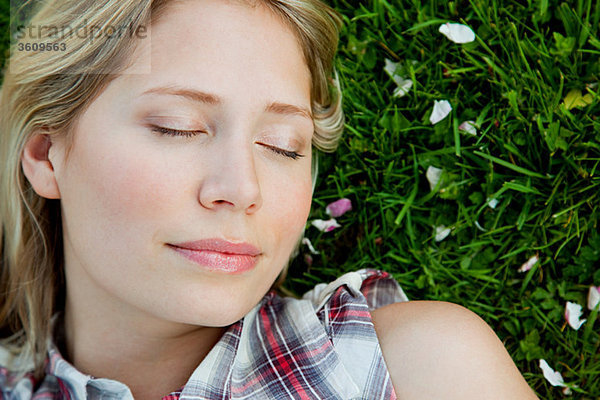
226	45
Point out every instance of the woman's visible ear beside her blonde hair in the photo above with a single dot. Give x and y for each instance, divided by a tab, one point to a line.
37	167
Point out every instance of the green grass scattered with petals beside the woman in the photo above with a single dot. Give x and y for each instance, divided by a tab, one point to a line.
539	159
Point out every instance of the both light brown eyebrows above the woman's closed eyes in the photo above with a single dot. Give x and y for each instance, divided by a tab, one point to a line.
207	98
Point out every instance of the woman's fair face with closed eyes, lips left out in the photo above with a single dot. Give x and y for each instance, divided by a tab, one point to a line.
234	77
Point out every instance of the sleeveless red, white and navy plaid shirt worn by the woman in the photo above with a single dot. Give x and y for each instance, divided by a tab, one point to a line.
322	346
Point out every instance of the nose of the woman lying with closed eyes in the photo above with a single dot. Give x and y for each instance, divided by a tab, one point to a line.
231	181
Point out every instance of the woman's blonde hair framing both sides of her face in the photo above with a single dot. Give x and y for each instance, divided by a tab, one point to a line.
46	91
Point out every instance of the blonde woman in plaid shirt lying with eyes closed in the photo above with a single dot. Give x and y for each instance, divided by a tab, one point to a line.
157	175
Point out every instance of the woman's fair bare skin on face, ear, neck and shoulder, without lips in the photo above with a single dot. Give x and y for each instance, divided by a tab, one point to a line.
136	310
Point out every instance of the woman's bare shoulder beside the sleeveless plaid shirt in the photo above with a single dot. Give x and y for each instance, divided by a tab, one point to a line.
442	350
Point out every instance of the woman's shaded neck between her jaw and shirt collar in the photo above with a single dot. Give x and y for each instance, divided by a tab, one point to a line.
152	357
